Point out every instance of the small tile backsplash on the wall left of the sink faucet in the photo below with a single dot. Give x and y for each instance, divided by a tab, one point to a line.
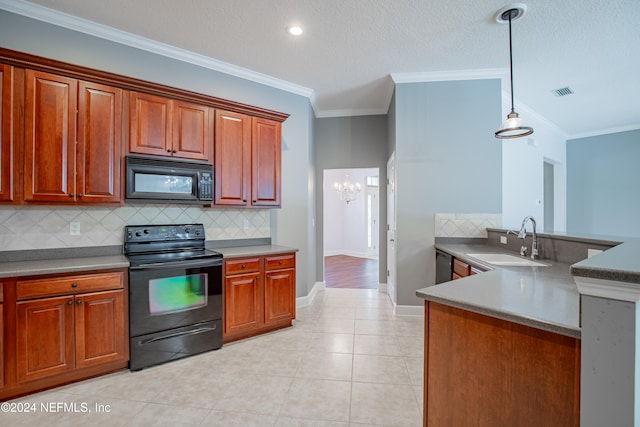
465	225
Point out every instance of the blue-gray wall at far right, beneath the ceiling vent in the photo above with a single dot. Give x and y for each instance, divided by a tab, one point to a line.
603	178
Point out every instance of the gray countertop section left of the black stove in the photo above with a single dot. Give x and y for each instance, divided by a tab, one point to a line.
64	265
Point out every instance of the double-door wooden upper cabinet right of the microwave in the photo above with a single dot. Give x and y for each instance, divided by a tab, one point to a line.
247	160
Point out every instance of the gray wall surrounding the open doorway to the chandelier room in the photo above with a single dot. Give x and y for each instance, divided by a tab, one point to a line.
350	142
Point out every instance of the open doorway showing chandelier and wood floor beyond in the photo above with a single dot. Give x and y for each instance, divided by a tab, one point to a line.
350	224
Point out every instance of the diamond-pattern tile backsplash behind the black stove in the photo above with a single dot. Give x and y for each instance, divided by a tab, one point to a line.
48	227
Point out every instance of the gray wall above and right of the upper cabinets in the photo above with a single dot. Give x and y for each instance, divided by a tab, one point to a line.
292	224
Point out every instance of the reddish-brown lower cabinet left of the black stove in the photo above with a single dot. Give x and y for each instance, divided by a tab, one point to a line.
67	328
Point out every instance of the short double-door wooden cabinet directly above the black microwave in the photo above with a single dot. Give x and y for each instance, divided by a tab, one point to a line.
165	127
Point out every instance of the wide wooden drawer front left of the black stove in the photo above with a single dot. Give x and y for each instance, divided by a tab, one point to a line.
35	288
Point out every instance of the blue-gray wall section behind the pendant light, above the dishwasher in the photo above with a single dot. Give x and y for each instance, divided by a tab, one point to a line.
447	161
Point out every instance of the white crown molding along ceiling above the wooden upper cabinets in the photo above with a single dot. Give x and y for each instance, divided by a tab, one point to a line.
95	29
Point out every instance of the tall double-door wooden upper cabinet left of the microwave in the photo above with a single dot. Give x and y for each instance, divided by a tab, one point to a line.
68	156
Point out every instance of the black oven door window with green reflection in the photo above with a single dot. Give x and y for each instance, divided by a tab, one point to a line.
176	294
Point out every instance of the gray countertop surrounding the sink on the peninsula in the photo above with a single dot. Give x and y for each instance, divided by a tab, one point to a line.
542	297
